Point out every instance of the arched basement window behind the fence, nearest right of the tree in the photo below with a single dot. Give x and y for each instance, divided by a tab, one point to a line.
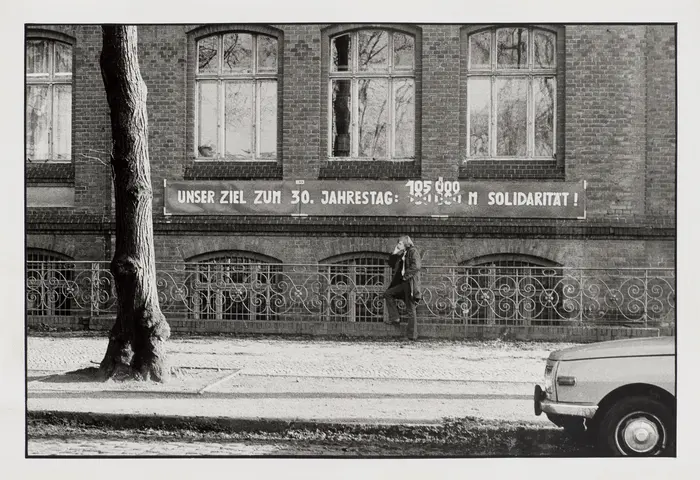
232	286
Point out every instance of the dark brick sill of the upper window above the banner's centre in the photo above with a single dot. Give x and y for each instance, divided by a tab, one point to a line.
369	169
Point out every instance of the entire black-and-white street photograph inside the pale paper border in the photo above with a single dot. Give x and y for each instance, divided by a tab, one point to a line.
380	240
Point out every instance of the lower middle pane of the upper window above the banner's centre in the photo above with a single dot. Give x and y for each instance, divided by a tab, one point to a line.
372	102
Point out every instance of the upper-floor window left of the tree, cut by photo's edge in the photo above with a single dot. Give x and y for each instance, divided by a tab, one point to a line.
49	94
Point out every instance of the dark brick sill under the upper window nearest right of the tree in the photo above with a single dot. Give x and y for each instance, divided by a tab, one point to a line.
227	170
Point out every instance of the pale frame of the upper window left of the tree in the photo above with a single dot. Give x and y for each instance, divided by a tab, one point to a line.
51	80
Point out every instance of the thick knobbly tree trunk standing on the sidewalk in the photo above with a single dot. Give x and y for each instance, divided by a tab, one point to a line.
137	340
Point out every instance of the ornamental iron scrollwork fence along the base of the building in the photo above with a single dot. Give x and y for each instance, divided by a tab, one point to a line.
497	291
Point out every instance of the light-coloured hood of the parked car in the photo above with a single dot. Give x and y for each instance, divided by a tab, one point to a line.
619	348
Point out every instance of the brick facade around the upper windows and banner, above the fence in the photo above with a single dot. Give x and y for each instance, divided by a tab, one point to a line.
619	136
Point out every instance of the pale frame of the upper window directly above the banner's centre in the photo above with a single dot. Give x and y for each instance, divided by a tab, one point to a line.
354	75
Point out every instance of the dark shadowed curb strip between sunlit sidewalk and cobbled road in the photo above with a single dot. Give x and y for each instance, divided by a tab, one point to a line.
473	435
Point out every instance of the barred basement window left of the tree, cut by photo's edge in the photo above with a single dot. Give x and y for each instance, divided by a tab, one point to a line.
49	283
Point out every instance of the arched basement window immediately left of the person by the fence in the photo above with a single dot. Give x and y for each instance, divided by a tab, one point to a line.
355	283
